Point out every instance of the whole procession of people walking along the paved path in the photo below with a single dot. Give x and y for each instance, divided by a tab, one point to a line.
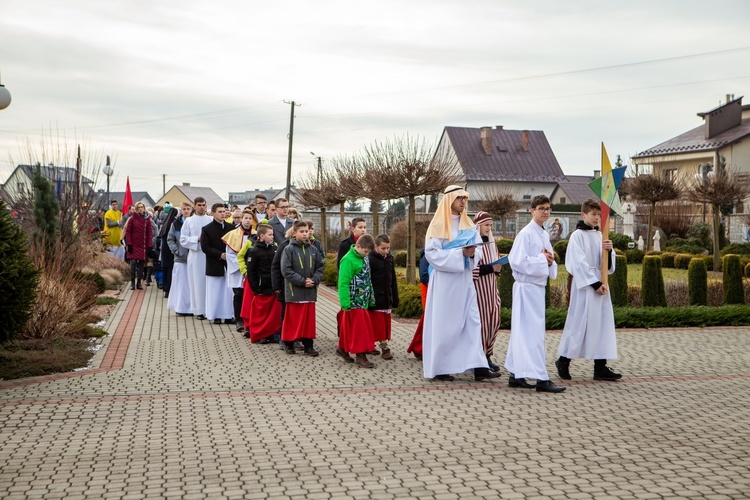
261	271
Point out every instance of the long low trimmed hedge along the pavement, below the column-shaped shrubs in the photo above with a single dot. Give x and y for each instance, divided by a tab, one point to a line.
656	317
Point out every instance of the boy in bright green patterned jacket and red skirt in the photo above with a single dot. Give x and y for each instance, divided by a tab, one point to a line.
356	296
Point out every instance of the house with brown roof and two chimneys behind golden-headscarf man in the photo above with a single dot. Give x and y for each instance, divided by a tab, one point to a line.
520	161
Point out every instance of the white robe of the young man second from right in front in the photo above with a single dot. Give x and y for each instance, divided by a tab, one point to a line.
526	356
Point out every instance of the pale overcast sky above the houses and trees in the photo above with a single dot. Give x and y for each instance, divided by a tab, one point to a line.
195	90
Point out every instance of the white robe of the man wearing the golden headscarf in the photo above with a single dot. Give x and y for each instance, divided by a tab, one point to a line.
452	330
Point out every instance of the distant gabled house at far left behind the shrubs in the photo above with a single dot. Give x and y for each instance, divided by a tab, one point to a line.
20	182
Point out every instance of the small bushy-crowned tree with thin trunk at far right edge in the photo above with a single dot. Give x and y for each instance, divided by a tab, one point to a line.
725	188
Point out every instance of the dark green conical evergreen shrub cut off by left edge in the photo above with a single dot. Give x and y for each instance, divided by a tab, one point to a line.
18	278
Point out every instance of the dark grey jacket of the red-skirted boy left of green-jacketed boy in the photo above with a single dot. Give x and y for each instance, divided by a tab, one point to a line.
299	261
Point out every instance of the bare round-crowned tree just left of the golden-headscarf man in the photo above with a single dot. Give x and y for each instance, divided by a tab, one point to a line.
407	167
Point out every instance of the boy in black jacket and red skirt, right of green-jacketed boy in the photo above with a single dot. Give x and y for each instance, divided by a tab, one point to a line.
384	283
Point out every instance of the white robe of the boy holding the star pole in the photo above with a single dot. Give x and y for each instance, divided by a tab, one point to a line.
590	326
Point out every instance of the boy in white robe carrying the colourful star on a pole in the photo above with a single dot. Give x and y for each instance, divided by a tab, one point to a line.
590	326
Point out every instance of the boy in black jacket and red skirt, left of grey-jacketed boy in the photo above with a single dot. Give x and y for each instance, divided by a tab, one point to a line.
265	318
